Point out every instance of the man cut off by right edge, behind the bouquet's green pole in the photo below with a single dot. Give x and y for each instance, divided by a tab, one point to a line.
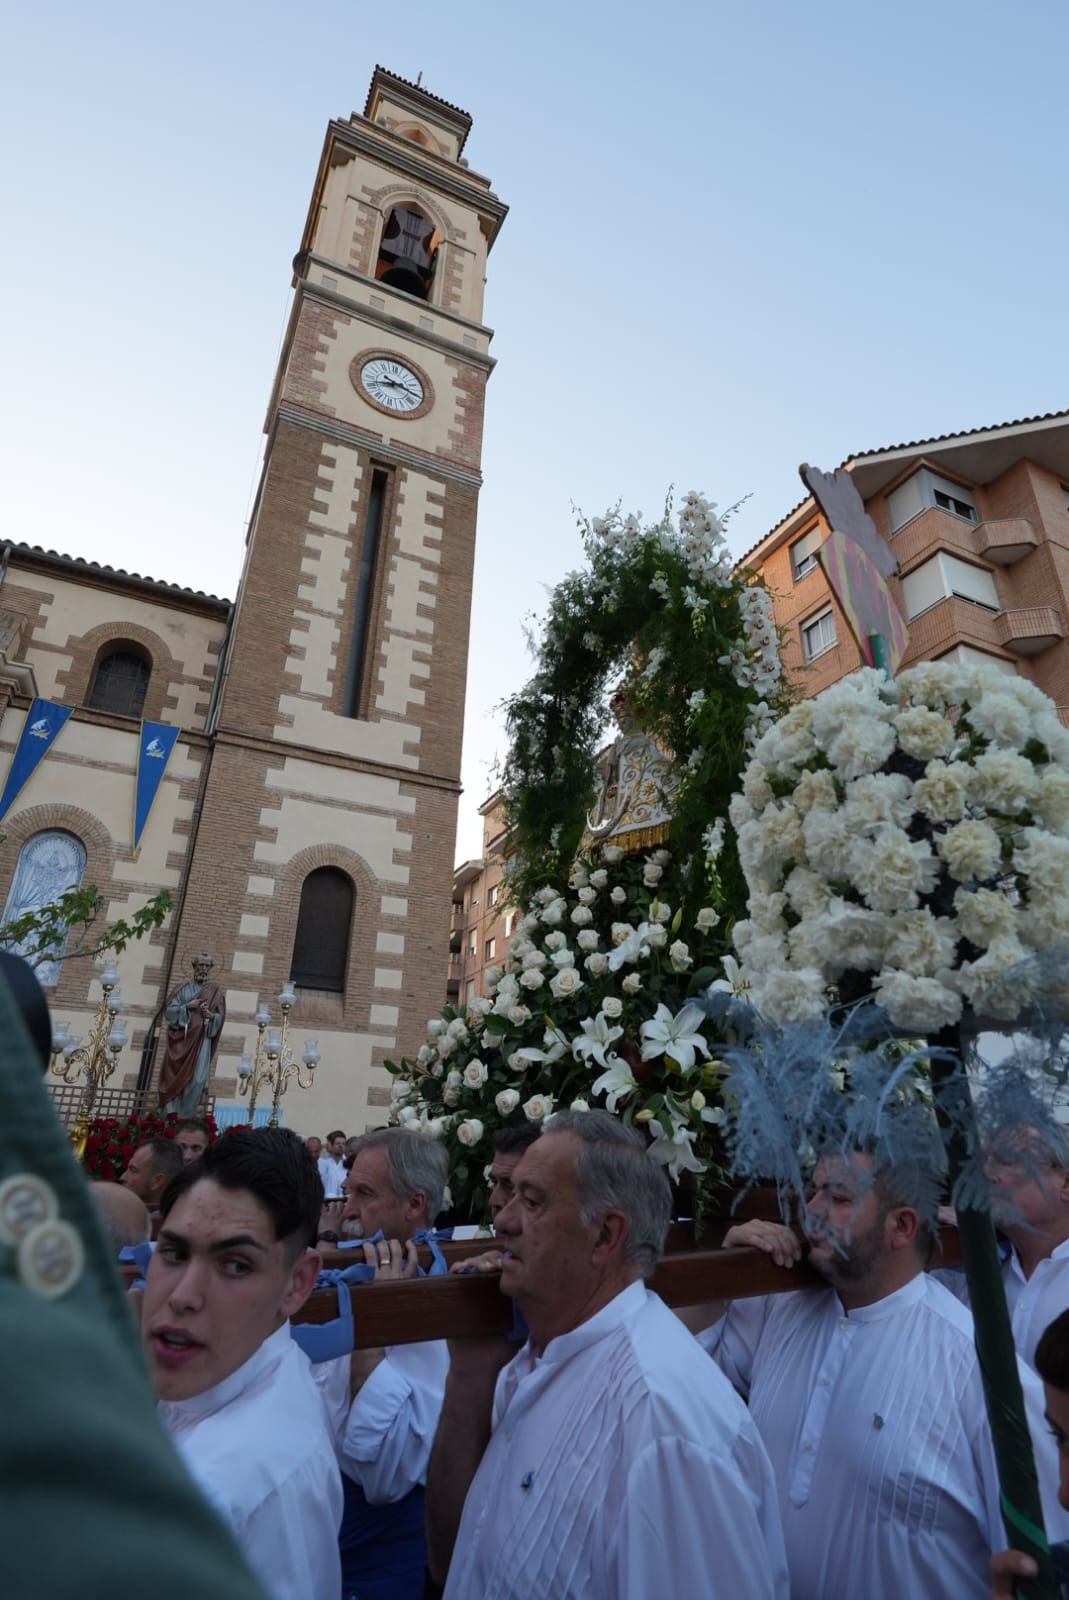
1028	1172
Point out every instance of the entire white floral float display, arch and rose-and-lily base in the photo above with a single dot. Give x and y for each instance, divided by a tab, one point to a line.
627	916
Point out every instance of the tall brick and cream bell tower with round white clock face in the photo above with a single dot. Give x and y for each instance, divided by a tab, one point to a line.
327	828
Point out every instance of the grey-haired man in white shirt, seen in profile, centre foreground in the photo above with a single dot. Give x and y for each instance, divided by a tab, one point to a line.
612	1468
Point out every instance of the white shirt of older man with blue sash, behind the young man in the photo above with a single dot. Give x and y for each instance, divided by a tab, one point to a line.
385	1438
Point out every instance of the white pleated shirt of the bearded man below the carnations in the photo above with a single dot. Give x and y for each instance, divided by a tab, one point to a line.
878	1434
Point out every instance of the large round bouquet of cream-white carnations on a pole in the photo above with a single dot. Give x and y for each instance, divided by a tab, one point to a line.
908	841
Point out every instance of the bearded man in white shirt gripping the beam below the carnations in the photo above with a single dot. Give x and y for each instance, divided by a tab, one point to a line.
870	1401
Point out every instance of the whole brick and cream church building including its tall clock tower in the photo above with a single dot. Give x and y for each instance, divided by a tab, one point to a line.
308	815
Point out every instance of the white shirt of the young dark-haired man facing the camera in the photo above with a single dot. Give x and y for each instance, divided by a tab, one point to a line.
260	1447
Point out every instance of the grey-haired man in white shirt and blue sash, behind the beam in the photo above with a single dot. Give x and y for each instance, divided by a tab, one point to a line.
386	1402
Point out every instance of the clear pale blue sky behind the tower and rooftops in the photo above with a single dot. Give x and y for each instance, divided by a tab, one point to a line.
742	236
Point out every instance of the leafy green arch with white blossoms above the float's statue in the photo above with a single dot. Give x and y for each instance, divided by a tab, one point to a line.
691	646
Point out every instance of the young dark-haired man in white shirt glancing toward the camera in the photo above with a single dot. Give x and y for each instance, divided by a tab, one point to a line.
233	1265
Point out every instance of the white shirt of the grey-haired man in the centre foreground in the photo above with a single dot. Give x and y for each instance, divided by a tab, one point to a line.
619	1471
